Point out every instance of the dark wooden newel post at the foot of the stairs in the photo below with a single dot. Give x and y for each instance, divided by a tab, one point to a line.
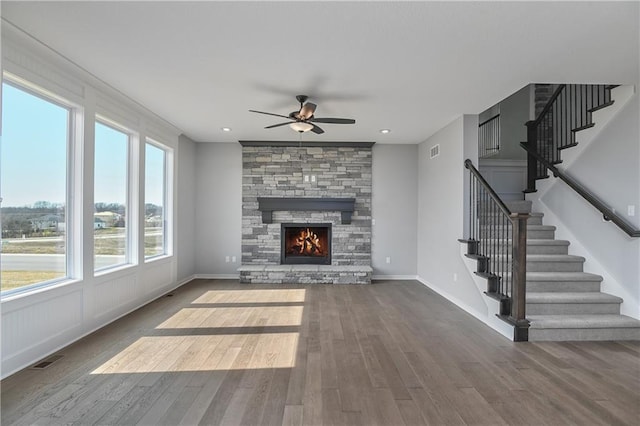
519	290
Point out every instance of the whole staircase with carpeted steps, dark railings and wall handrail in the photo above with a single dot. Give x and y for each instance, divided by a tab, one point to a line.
542	290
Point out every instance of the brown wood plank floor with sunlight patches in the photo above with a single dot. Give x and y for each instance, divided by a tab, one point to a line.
391	353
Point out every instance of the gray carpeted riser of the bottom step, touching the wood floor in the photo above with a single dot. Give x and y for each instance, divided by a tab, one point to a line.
569	334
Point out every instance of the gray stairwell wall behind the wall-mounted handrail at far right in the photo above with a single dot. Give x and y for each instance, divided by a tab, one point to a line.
609	167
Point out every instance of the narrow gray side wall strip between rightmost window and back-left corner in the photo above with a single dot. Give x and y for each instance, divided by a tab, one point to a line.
186	209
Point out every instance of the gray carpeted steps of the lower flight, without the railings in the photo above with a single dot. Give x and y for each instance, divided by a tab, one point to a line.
563	302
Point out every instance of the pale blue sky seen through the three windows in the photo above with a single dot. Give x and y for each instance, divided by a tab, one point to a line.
33	151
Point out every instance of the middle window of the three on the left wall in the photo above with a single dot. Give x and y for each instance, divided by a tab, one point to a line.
110	217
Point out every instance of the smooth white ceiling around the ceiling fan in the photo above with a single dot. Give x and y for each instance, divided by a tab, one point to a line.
412	67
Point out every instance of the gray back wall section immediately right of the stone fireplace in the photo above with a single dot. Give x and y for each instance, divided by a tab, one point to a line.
394	209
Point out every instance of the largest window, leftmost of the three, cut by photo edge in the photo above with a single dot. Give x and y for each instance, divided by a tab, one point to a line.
33	171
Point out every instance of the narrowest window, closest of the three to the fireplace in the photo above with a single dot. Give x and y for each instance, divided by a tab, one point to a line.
155	200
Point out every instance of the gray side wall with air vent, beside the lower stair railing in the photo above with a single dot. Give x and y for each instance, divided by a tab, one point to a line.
440	215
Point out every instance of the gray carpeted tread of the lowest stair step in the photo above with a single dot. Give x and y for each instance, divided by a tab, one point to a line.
582	321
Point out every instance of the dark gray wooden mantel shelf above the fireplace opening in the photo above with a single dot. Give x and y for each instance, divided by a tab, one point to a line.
345	206
